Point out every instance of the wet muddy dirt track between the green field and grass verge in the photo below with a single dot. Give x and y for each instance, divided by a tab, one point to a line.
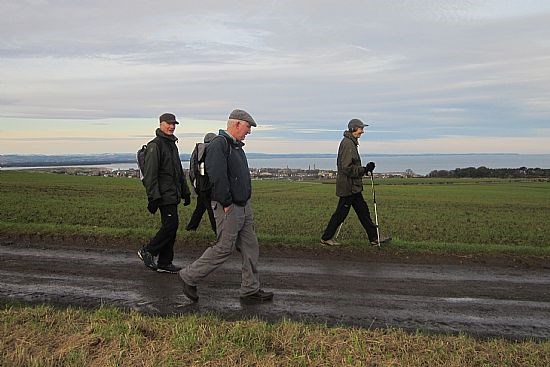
440	295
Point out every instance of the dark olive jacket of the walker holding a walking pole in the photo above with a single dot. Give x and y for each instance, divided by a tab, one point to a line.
349	179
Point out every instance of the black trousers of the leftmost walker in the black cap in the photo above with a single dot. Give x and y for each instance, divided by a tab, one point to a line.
163	242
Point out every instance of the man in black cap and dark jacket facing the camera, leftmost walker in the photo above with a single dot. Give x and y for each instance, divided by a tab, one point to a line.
165	183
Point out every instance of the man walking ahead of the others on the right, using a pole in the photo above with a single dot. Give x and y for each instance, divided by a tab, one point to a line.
349	186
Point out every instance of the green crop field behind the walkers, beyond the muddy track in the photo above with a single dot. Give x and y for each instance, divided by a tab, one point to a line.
442	215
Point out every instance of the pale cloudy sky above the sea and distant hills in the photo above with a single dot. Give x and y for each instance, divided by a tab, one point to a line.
428	76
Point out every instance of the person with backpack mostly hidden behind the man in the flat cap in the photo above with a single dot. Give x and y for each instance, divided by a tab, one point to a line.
201	183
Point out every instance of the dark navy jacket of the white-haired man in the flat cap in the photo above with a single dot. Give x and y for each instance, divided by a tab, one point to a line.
227	169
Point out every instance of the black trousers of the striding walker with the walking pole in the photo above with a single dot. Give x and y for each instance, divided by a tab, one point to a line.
342	210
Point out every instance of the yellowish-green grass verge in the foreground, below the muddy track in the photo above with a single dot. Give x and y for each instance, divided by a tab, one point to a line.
45	336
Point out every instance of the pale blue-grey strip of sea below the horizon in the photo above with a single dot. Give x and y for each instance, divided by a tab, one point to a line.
421	164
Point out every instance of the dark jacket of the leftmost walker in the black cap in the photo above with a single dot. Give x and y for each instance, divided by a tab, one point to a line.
163	177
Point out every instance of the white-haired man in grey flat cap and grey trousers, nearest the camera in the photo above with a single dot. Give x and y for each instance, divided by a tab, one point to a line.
227	168
